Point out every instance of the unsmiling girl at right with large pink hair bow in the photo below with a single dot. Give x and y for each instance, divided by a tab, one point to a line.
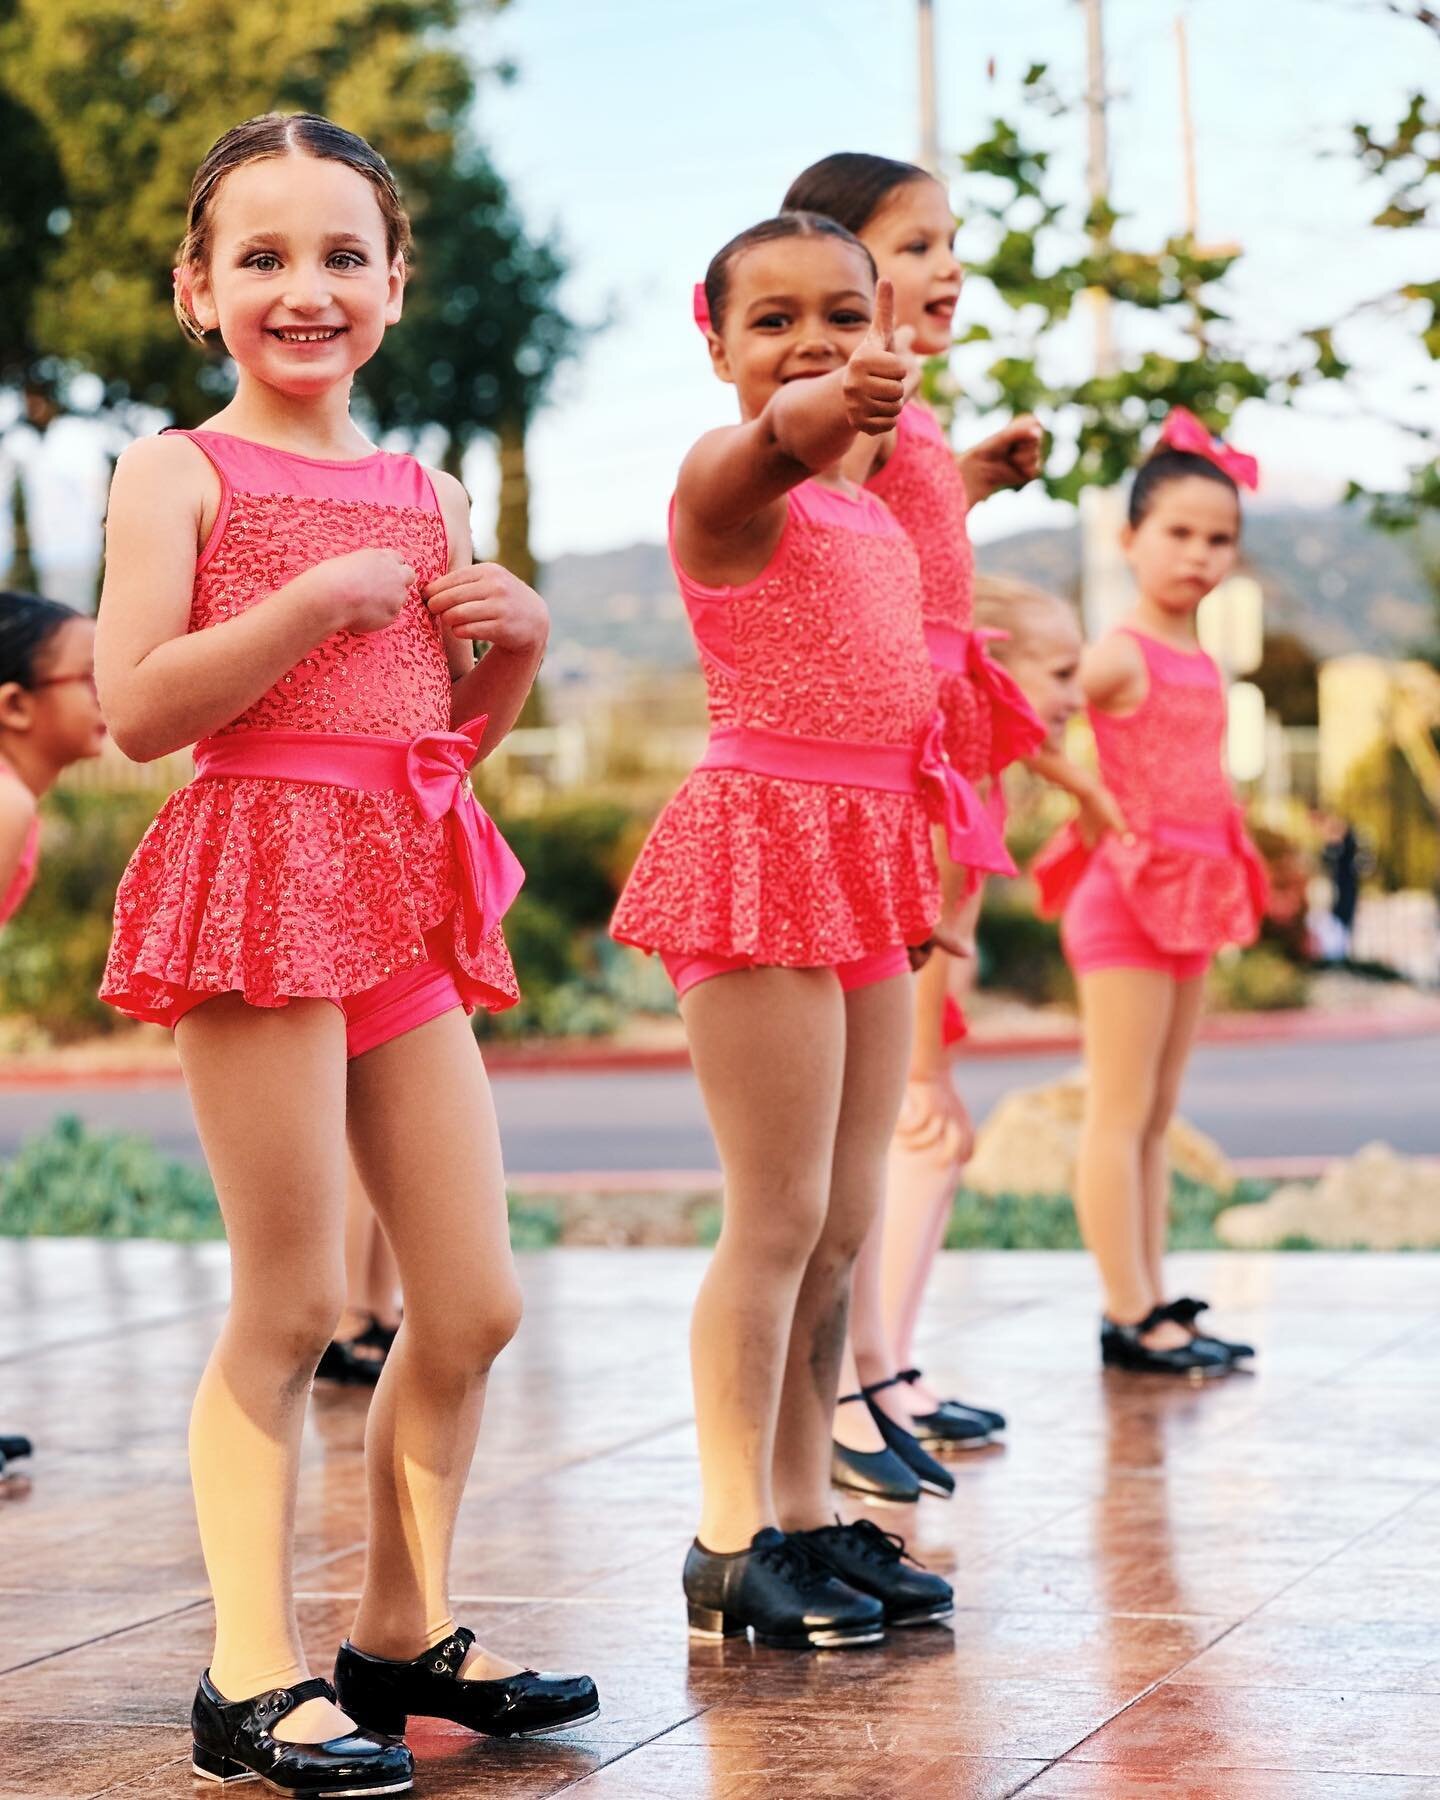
1146	912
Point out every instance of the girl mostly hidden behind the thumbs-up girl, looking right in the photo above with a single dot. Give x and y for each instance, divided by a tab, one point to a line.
904	217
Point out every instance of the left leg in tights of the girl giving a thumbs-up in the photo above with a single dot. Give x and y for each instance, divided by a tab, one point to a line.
769	1054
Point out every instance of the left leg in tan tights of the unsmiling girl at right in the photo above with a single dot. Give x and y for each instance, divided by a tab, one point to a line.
1128	1016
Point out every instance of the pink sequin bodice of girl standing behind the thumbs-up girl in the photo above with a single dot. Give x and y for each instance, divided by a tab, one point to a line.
922	487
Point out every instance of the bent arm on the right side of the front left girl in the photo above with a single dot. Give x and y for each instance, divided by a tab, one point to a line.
483	602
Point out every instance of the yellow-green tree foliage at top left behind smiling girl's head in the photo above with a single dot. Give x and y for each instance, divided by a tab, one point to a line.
129	94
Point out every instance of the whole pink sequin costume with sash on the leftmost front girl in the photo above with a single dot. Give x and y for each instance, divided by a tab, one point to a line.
330	845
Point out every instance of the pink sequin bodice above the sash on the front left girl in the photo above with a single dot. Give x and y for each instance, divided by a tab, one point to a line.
285	514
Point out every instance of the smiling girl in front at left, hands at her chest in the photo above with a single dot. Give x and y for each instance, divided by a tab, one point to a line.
314	915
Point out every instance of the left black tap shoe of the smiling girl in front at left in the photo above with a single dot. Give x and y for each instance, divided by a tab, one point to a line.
235	1743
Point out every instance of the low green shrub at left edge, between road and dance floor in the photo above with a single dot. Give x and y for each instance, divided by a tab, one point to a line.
75	1183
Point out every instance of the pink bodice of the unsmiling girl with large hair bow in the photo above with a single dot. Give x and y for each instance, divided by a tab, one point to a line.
1167	759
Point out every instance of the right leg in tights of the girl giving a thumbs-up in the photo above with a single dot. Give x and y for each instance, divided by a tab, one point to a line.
876	1047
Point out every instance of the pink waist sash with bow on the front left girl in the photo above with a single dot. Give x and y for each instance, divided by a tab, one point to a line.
433	769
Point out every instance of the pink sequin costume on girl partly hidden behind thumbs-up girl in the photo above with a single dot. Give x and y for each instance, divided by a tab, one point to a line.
989	723
